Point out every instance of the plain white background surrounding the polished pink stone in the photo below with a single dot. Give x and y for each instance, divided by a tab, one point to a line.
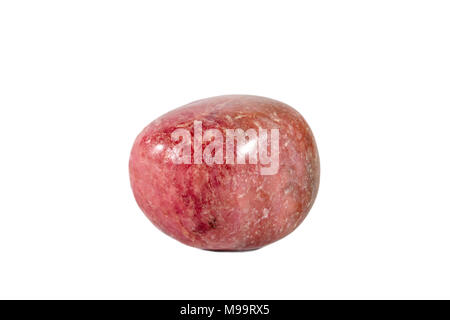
80	79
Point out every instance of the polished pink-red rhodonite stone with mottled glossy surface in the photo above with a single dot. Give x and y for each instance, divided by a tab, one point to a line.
226	173
